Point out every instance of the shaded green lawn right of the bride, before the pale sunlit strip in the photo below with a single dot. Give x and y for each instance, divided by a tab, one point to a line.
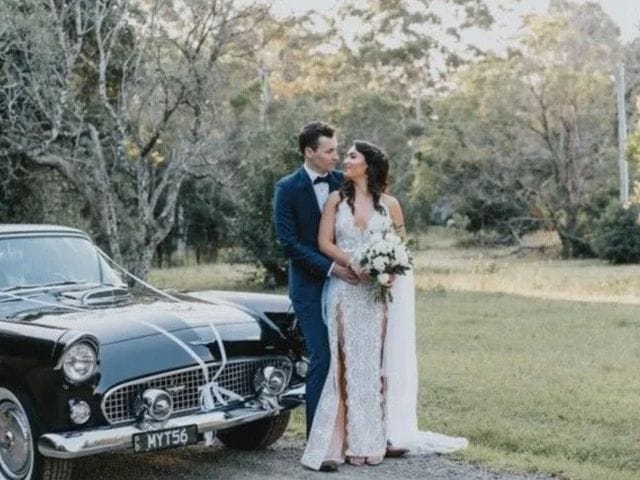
534	384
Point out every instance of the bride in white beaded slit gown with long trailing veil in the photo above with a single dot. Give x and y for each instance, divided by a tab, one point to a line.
368	404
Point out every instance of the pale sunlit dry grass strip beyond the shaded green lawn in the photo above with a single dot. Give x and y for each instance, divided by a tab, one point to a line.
442	266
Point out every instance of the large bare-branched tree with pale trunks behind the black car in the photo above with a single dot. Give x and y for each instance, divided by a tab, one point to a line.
124	99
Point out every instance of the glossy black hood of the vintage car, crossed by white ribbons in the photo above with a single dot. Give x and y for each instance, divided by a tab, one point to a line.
141	340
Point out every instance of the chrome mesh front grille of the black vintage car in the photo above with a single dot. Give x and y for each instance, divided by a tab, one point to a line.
183	384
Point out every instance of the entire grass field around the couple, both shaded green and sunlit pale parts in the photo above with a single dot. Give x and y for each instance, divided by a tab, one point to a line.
535	360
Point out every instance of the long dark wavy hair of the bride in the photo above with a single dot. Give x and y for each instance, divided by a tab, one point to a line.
377	175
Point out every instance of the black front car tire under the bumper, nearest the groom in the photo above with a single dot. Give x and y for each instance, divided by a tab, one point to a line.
256	435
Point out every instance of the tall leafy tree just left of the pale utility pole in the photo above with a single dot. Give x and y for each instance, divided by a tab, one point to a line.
567	71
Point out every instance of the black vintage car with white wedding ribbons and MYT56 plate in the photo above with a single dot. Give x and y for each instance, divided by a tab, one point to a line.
87	366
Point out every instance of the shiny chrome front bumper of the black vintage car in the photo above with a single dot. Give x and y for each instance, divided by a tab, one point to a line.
82	443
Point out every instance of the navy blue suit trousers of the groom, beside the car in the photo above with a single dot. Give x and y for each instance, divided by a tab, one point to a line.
309	315
